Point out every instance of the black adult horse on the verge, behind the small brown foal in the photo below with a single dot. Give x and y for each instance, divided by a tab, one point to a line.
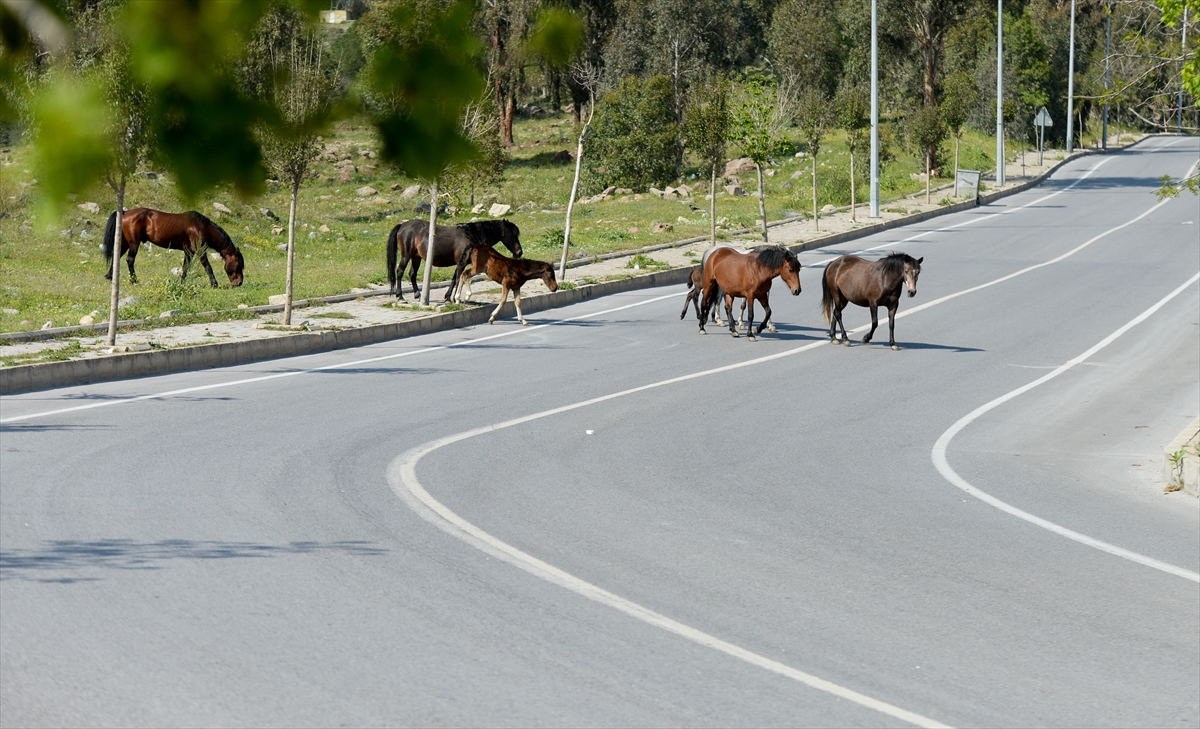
407	243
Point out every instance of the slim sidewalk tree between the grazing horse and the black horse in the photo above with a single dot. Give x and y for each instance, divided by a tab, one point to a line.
284	68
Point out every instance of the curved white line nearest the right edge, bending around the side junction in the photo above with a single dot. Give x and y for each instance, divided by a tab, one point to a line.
950	474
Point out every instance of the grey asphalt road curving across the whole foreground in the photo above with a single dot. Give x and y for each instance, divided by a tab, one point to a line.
766	544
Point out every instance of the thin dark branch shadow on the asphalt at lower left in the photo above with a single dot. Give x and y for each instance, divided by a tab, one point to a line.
62	561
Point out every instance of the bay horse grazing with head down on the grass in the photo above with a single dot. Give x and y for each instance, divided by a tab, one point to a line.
188	232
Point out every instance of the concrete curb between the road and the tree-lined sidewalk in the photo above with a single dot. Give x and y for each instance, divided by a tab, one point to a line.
29	378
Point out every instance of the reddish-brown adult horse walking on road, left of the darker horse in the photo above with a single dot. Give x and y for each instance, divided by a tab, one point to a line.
748	275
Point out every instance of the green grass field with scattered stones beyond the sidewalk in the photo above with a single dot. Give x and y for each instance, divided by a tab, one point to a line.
53	270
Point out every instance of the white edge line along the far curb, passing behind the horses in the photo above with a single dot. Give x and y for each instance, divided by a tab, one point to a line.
358	363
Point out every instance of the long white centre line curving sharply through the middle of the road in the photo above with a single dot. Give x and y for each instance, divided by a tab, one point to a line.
404	481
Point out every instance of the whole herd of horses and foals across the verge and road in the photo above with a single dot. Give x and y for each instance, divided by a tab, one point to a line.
723	276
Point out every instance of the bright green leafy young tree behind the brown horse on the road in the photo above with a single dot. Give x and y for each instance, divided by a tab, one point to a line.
761	113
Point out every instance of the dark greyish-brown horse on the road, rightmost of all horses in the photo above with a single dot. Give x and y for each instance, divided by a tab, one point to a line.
851	280
